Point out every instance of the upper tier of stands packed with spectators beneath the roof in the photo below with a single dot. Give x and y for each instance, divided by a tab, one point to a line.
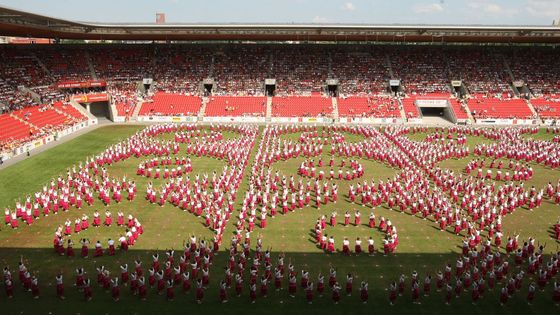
298	69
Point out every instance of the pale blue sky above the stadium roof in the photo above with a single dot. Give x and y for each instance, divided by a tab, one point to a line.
493	12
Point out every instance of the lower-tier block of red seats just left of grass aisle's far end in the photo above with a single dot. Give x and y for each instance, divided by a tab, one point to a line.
236	106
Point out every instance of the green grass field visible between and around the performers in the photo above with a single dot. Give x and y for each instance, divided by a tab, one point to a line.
422	246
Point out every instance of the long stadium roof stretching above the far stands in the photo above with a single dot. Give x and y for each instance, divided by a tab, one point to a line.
25	24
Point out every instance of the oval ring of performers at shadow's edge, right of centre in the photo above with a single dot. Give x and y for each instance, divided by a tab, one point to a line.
327	242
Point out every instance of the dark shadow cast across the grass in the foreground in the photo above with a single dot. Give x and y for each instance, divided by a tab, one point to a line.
378	270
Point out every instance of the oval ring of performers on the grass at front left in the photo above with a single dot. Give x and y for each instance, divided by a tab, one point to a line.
62	235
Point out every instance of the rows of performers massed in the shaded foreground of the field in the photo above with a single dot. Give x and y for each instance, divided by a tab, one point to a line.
251	273
